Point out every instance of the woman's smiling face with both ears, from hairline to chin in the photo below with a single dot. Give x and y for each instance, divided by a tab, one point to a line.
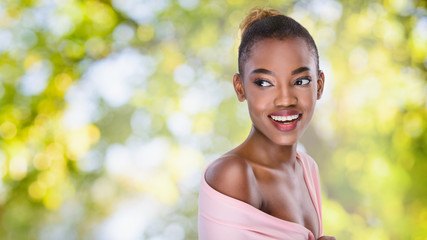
281	84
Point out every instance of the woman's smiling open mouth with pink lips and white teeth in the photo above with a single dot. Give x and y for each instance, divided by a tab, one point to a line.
285	120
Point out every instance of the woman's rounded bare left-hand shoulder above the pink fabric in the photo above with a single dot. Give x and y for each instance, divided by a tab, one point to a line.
233	176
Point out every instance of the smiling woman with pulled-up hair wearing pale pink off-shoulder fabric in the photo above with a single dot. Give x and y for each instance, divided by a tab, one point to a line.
264	188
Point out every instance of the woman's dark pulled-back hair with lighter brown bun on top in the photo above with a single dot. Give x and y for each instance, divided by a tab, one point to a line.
264	24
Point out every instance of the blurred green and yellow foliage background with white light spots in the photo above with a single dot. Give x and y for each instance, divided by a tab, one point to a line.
110	111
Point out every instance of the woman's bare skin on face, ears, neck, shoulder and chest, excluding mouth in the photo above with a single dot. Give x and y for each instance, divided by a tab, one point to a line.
263	171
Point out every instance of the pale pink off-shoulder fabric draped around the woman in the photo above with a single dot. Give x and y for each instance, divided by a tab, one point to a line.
222	217
